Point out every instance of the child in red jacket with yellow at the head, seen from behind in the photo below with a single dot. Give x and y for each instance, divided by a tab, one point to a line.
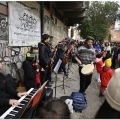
105	74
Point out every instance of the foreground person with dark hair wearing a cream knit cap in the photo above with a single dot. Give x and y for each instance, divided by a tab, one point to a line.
110	109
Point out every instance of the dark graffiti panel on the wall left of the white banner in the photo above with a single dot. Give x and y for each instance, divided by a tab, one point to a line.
3	27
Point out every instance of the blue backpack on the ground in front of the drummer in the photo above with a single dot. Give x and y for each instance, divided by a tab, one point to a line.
79	101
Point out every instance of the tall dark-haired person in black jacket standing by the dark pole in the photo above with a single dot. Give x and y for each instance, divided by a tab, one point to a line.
44	57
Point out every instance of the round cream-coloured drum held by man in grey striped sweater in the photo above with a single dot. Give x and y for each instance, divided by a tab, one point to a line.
87	69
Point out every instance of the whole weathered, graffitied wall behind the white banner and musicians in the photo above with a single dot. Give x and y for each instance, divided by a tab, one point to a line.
59	31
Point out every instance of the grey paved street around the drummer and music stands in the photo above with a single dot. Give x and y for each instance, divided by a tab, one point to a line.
73	82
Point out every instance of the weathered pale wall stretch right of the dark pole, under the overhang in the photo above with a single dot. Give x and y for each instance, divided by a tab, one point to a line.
59	30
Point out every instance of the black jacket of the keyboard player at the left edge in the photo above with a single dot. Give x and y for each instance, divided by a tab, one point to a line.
6	90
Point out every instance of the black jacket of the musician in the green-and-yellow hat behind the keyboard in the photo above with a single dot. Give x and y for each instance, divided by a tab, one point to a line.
29	75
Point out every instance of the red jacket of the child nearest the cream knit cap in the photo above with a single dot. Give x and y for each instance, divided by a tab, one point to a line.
105	75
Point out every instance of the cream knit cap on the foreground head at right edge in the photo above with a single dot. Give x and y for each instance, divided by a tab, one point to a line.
112	93
